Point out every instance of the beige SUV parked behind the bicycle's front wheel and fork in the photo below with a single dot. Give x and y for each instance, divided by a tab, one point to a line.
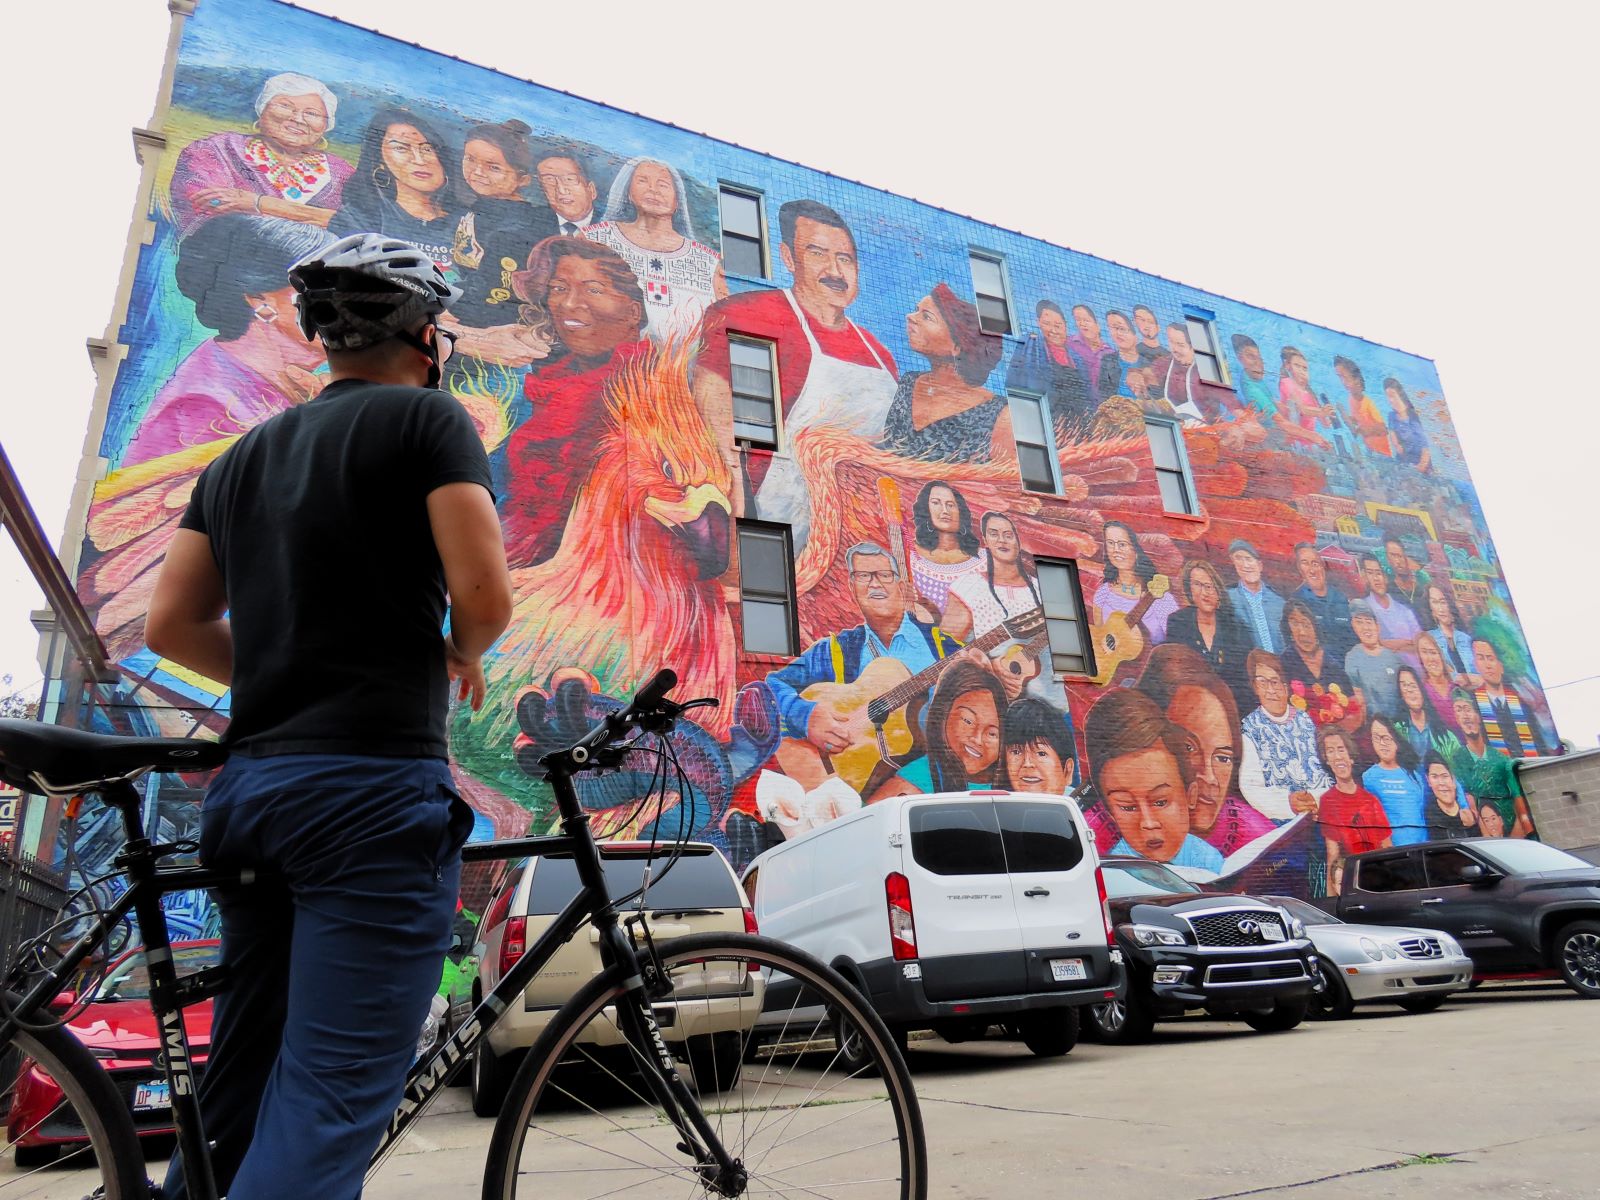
698	895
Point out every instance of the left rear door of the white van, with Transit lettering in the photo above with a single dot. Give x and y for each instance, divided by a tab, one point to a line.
969	938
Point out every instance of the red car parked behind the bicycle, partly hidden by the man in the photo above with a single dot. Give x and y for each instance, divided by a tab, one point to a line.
119	1030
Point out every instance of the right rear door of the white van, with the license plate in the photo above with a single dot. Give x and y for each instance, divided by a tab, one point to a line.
1054	887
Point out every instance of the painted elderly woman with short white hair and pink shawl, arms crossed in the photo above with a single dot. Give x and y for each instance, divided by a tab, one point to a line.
282	170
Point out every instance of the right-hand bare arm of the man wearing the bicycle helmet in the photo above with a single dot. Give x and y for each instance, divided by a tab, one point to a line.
468	535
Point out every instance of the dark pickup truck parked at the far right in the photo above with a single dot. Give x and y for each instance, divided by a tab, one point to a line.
1518	908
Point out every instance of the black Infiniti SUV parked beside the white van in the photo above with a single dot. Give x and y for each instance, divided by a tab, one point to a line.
1191	950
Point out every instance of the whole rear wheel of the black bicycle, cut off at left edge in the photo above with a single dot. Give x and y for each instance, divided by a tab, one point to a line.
68	1129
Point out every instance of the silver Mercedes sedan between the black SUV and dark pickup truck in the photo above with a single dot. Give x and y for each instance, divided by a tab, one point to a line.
1378	964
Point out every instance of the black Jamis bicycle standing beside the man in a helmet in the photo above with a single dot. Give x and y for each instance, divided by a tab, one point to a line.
598	1108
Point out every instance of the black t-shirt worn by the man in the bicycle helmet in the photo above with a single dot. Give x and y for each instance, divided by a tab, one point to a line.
335	590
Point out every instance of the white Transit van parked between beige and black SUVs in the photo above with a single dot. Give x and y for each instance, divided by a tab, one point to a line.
956	913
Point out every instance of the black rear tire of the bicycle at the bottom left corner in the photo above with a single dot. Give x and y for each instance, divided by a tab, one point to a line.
111	1146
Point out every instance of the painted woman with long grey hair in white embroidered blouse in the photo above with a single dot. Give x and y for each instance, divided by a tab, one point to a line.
647	222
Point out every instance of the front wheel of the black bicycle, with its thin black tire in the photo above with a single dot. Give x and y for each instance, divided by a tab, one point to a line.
558	1153
